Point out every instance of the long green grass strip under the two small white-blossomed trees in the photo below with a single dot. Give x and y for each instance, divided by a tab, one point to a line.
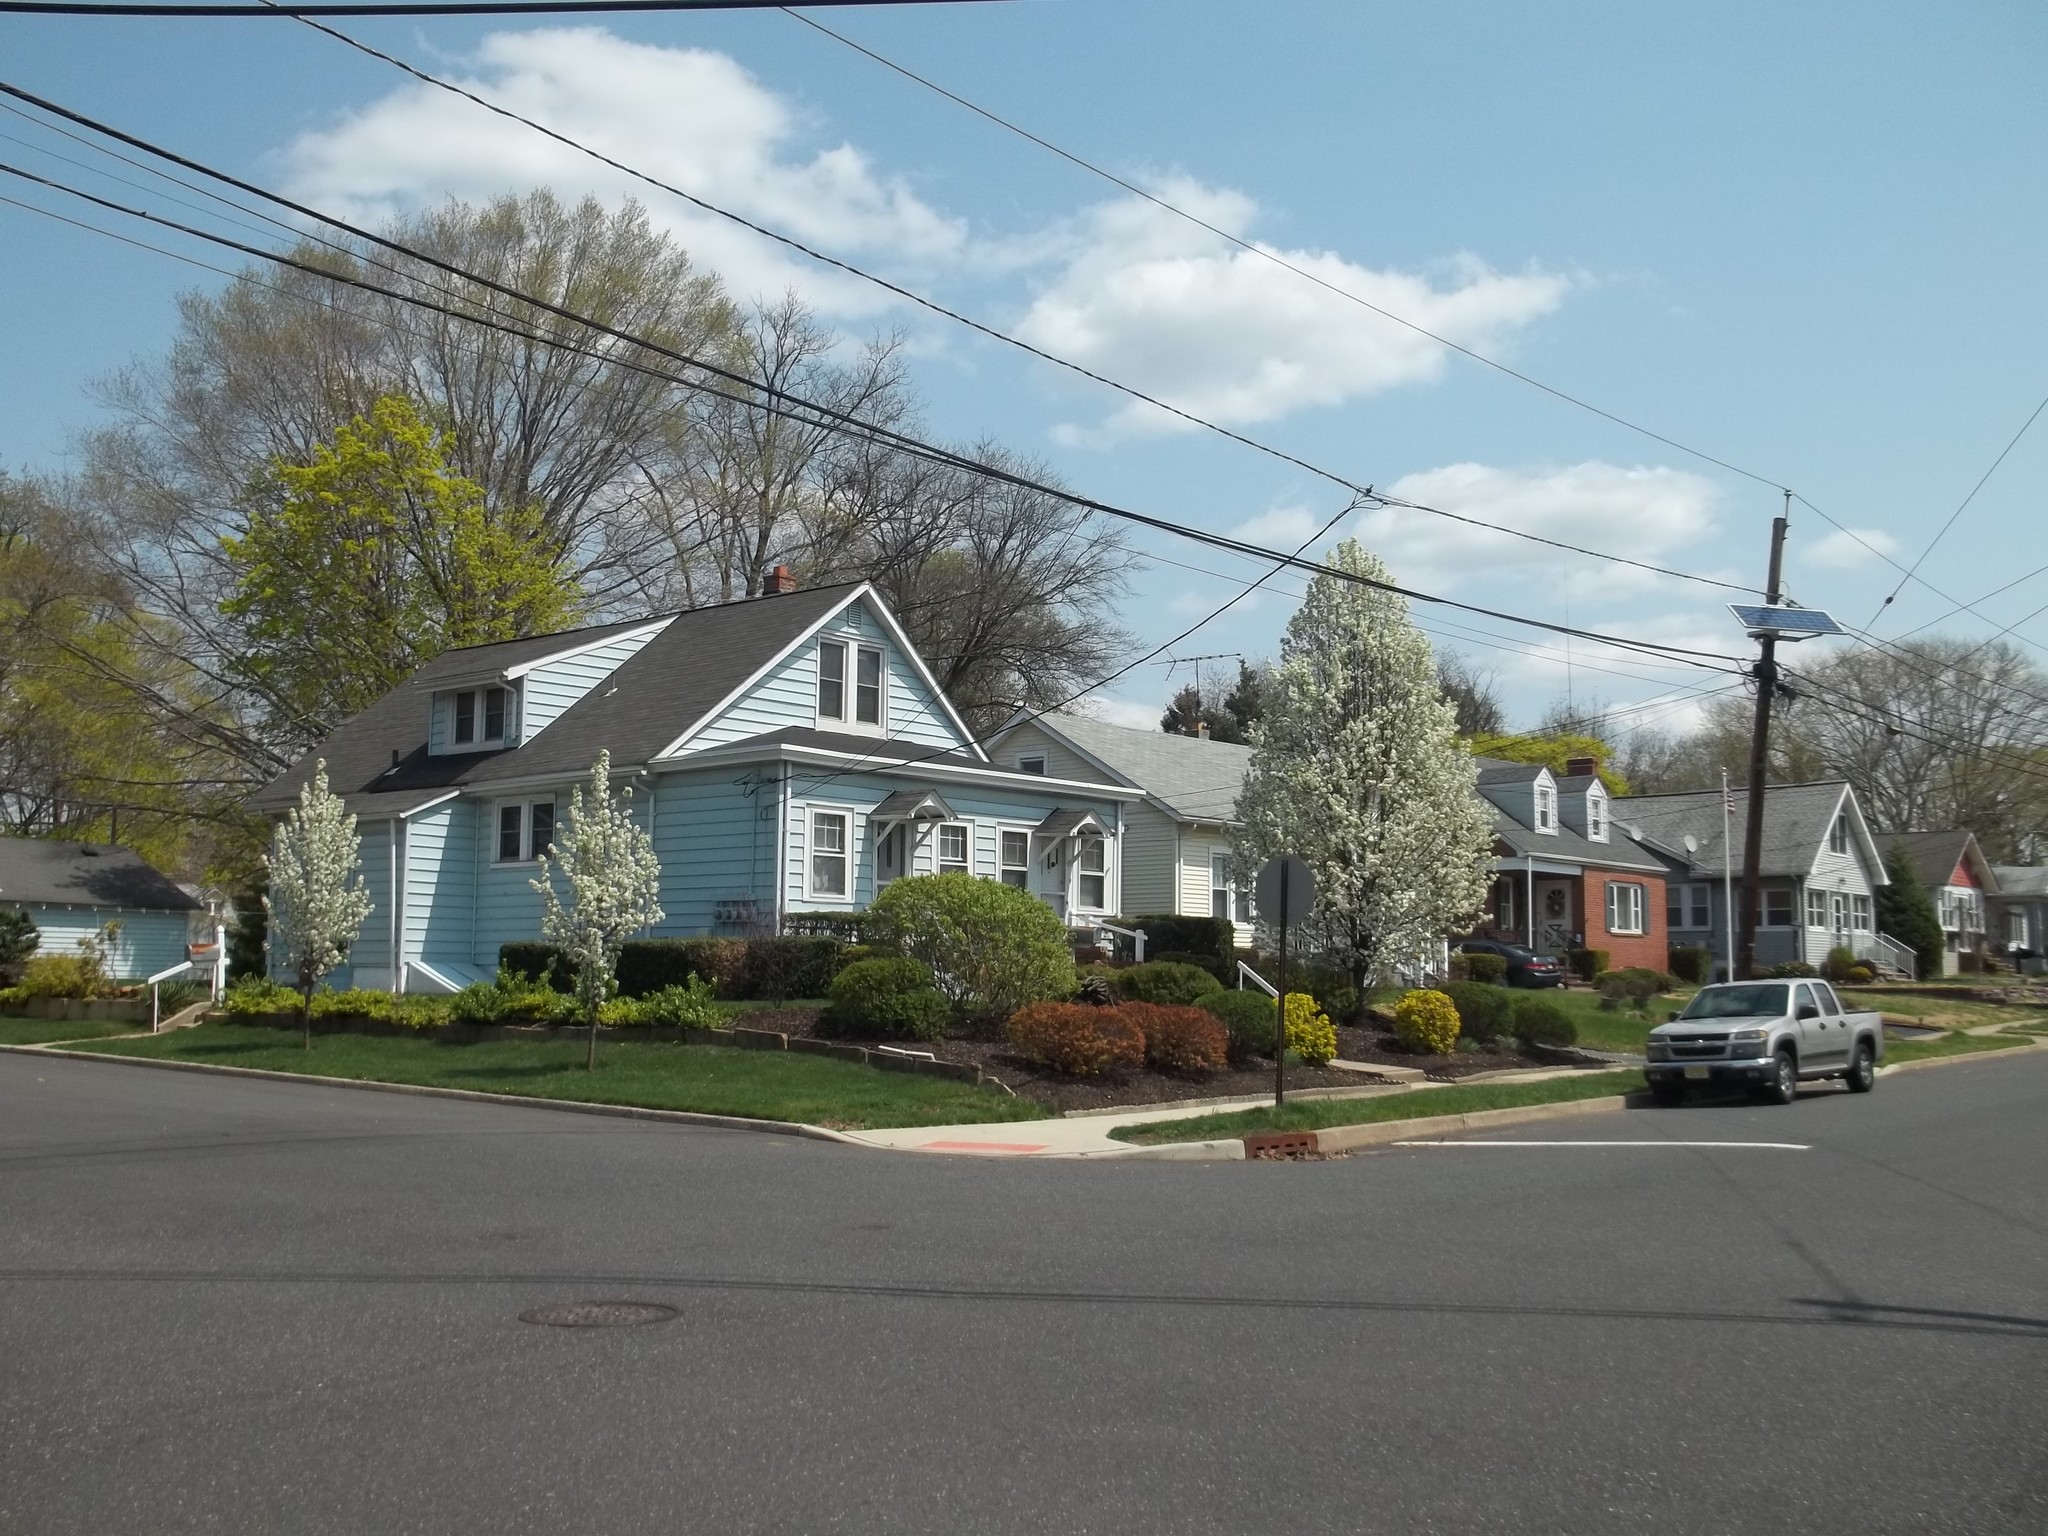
710	1080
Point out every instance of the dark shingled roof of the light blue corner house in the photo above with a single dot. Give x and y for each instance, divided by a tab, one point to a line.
673	683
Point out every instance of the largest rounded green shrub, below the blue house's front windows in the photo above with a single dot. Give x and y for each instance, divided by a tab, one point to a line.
992	949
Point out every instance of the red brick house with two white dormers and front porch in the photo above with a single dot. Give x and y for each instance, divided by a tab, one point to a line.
1566	873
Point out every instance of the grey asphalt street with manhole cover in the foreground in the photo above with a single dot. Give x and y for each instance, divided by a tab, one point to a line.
259	1308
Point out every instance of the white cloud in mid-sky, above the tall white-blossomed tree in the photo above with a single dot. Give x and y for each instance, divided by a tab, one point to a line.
1224	333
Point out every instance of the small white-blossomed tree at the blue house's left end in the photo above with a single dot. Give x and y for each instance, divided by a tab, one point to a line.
318	898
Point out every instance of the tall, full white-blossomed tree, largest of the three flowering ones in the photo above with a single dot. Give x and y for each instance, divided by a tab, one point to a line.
1359	769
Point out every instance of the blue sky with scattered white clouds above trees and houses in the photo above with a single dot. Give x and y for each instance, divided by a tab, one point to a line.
1807	241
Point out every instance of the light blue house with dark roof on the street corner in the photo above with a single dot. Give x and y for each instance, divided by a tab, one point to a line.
790	755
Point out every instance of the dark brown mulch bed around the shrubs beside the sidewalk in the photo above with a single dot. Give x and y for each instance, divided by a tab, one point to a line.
1148	1084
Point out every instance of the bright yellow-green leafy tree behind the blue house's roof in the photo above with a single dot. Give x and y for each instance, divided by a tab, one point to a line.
376	558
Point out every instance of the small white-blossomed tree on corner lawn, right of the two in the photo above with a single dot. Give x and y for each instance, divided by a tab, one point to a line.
615	888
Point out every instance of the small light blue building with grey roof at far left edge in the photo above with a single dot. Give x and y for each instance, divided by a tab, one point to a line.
75	890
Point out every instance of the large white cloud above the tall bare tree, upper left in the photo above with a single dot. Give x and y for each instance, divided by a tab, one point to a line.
689	118
